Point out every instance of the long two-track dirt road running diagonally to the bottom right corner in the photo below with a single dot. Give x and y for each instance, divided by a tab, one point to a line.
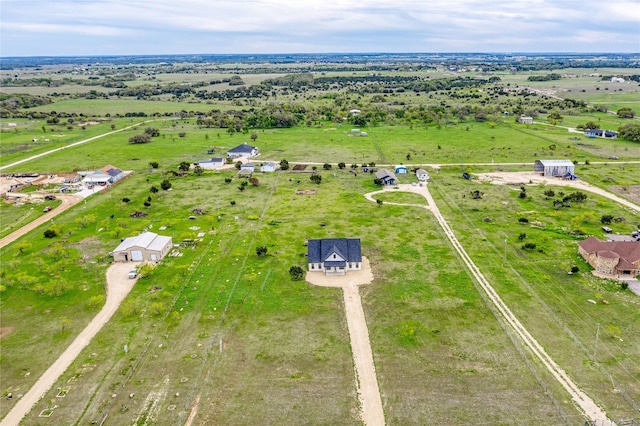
582	400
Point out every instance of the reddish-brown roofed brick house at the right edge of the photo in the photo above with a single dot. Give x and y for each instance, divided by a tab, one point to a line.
611	258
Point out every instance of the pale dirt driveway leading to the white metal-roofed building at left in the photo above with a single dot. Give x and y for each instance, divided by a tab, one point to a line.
118	286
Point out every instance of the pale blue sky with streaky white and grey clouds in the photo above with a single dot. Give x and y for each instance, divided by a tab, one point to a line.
148	27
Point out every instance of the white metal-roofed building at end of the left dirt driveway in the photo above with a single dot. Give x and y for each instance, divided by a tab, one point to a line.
147	246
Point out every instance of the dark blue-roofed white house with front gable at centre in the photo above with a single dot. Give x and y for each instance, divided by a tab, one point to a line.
334	256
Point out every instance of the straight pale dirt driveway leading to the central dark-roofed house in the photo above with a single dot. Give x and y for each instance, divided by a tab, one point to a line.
366	379
